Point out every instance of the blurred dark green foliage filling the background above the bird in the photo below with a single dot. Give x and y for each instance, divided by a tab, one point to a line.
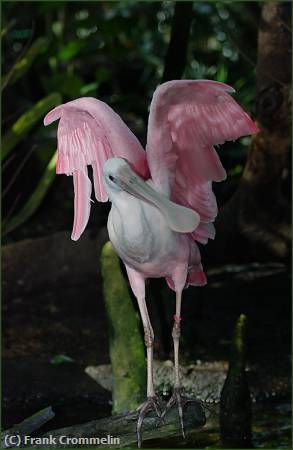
114	51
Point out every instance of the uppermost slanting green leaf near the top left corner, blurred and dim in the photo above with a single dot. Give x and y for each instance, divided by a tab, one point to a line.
23	65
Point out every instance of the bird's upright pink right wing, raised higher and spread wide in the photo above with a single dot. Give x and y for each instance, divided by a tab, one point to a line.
187	118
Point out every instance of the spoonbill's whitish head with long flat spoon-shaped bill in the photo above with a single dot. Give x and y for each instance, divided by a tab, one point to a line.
119	176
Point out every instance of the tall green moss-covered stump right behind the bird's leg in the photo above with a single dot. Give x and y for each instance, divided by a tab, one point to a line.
127	350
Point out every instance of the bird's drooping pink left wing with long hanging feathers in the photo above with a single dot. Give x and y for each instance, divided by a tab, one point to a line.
90	132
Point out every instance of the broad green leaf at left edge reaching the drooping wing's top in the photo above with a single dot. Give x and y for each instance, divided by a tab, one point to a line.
26	122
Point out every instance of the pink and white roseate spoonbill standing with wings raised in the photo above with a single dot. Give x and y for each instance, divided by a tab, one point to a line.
162	199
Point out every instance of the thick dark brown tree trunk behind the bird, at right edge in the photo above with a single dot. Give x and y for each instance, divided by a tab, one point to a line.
255	223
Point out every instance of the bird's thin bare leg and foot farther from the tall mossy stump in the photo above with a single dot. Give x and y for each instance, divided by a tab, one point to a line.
177	396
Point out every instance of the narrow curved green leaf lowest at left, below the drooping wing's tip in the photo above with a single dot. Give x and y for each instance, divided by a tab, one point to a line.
35	199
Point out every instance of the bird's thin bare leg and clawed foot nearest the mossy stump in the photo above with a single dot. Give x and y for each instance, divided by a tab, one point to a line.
152	401
